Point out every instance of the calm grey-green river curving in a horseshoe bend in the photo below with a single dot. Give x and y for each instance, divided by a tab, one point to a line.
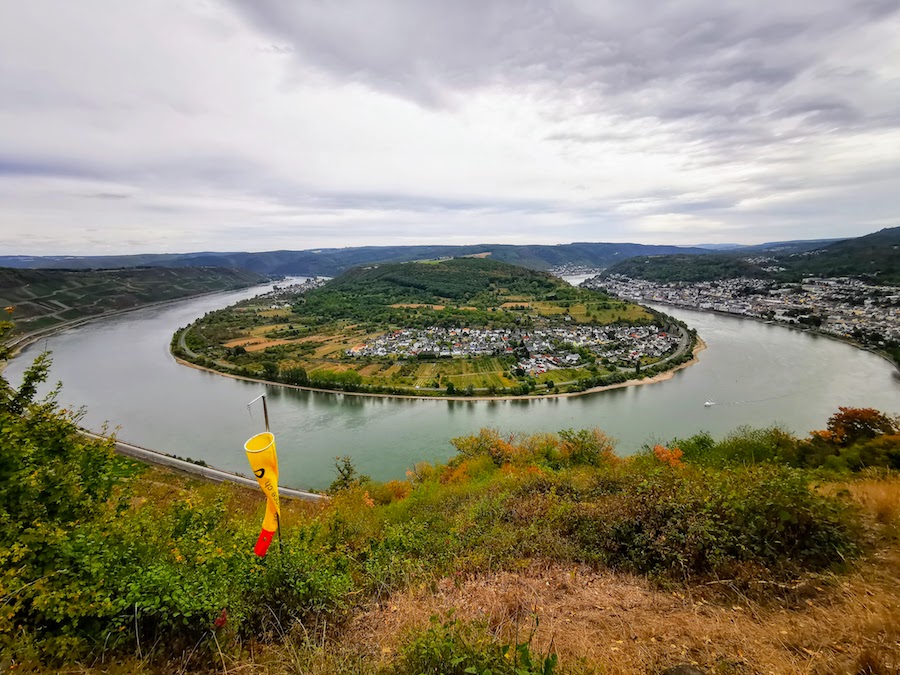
120	369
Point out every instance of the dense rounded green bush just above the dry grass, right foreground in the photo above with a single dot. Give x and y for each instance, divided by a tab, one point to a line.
706	522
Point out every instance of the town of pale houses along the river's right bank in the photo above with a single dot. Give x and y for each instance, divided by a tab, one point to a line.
841	306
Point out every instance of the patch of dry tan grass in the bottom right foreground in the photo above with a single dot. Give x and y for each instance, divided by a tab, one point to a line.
622	624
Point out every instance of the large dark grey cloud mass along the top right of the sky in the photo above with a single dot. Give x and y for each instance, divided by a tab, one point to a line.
640	59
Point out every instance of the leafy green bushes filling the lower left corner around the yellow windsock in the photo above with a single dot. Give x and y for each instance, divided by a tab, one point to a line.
83	570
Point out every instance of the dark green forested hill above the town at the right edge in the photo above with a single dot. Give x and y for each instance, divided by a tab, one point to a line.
875	257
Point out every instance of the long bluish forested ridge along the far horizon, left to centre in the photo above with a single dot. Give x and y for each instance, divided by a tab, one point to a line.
333	261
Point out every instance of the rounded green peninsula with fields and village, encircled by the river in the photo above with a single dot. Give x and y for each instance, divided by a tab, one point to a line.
450	327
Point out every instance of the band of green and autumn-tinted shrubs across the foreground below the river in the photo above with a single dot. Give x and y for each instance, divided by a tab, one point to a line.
89	565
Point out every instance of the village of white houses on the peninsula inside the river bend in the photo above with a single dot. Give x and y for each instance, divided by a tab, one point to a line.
539	350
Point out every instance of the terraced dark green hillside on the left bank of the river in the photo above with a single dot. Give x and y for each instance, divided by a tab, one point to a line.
45	298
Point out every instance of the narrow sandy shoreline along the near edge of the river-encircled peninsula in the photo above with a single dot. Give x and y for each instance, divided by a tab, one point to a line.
661	377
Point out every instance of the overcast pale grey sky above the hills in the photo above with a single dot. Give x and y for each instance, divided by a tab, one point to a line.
186	125
